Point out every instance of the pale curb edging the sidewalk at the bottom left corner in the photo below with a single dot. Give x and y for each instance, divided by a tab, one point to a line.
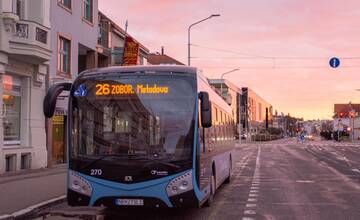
28	212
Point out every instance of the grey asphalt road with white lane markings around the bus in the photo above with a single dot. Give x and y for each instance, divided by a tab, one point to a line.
274	180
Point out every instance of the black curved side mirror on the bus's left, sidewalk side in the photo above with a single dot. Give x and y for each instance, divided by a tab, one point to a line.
54	91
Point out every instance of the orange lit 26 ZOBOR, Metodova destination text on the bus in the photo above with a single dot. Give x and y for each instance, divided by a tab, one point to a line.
104	89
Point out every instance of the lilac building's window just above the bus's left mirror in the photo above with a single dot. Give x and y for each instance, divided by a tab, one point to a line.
64	55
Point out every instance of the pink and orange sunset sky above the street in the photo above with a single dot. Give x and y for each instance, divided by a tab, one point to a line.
282	47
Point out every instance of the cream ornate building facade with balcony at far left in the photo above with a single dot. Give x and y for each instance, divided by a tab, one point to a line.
25	50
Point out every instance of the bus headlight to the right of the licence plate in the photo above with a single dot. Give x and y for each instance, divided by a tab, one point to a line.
180	184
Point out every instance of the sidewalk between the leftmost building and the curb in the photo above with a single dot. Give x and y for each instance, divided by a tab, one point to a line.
22	190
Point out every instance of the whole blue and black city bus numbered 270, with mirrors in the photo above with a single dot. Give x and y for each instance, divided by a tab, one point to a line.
150	136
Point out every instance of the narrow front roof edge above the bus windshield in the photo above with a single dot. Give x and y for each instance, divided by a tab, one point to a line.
140	68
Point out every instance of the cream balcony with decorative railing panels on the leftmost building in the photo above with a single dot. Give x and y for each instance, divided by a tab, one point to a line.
30	41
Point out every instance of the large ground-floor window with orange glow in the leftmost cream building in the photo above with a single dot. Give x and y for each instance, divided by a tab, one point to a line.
11	109
